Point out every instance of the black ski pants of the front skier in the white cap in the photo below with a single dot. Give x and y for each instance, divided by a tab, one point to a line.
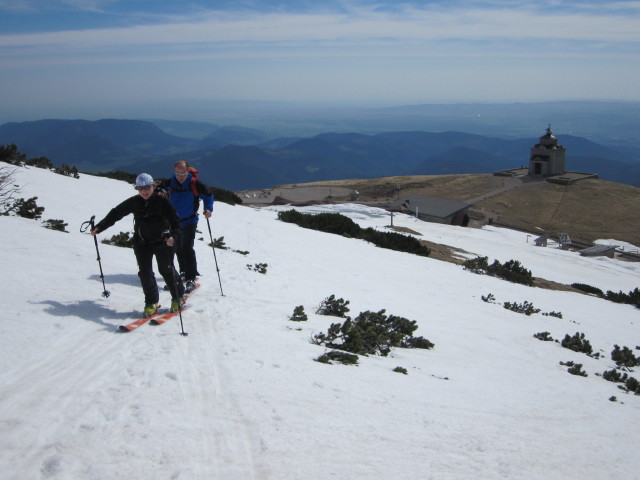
164	258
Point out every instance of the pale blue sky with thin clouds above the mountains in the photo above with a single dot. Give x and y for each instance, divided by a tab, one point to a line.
55	54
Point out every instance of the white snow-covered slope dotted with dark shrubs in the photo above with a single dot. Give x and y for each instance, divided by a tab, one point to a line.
241	397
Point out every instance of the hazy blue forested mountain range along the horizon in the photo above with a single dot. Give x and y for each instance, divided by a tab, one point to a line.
237	158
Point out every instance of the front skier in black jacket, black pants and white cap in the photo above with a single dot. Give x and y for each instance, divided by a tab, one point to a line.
156	228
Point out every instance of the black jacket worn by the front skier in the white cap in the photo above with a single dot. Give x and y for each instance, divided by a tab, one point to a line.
151	218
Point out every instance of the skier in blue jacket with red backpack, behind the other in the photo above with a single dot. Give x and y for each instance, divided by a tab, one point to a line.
185	192
